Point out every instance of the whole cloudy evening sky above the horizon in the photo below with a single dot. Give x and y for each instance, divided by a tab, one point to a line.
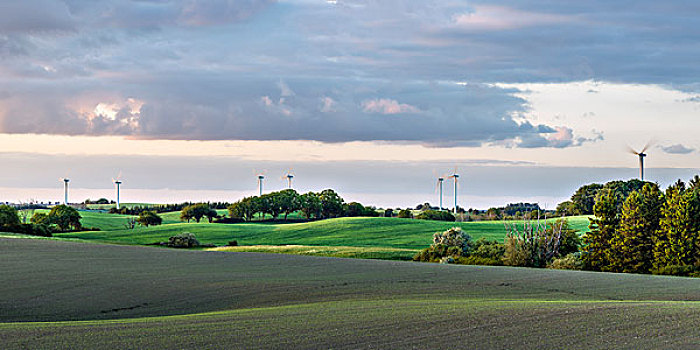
188	100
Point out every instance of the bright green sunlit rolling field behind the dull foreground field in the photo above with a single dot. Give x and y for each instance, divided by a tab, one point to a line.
389	233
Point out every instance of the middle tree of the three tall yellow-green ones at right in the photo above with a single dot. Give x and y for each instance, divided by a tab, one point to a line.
632	246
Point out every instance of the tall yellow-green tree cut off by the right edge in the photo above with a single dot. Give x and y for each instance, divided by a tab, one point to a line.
676	243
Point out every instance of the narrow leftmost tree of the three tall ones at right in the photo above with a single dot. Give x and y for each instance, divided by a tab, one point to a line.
602	228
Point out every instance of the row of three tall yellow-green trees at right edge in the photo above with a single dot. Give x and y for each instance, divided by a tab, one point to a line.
647	231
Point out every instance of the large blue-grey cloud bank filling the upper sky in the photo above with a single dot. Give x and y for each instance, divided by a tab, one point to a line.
356	70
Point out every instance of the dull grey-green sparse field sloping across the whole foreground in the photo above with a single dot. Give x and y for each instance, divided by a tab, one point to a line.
59	294
